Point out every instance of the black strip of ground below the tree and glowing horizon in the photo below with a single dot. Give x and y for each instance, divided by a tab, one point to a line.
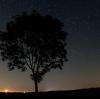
83	93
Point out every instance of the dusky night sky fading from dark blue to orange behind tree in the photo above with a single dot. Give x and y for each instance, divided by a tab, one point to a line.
81	20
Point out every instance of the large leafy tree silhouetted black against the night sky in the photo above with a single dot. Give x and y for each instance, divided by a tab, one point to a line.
34	42
